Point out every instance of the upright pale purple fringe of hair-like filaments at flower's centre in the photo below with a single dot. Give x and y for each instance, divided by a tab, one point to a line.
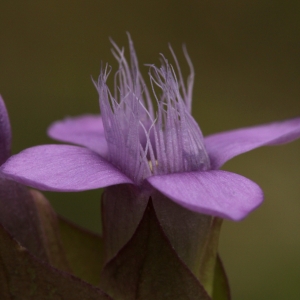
142	143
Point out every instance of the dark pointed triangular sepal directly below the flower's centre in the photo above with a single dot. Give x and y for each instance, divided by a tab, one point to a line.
147	267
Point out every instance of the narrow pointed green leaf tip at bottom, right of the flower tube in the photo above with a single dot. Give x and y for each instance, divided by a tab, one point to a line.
221	290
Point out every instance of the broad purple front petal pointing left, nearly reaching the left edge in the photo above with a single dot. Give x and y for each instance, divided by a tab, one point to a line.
62	168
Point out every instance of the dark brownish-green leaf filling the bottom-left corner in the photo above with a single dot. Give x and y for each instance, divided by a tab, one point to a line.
23	276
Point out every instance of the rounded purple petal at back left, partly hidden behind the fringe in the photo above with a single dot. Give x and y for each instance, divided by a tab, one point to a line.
86	130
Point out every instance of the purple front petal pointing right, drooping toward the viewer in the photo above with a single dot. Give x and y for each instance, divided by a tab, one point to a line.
218	193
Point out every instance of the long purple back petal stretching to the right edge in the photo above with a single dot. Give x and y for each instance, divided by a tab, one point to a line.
223	146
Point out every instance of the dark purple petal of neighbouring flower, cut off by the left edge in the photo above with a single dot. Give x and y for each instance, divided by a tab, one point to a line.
5	133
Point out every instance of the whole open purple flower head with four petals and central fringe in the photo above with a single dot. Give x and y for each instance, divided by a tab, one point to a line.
162	149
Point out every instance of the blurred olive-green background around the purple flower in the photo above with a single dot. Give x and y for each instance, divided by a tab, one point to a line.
246	57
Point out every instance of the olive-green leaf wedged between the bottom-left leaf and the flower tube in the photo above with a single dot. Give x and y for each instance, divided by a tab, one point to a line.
84	251
